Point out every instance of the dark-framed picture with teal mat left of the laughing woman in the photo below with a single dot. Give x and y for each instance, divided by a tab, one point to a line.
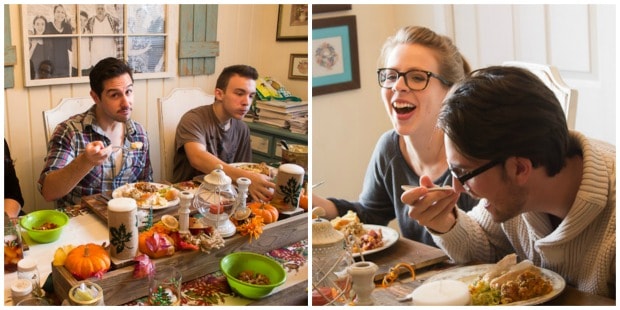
335	65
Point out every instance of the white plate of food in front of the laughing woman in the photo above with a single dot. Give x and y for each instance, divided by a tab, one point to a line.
376	238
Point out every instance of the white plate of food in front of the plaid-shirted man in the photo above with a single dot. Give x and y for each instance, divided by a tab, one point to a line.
147	194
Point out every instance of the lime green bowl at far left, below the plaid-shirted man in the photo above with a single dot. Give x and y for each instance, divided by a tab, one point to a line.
38	218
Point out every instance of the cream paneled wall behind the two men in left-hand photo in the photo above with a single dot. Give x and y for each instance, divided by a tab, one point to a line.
246	34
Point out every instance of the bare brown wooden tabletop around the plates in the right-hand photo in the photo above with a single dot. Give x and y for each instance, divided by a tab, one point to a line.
429	261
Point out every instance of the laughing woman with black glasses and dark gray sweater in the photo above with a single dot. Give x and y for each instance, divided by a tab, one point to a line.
417	69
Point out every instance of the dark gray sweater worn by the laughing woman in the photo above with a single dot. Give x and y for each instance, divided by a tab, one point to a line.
380	202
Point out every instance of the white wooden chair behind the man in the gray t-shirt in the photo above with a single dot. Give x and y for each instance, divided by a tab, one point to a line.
171	109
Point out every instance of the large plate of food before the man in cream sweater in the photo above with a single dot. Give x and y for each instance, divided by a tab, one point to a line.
497	284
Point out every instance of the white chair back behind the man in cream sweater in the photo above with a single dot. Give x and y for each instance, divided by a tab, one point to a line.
552	78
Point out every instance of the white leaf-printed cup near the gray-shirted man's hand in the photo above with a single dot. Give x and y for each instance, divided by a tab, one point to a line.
289	182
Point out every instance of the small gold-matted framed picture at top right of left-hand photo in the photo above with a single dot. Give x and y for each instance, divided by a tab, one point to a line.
292	22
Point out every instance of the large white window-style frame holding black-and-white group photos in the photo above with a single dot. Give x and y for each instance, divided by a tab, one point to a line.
61	43
